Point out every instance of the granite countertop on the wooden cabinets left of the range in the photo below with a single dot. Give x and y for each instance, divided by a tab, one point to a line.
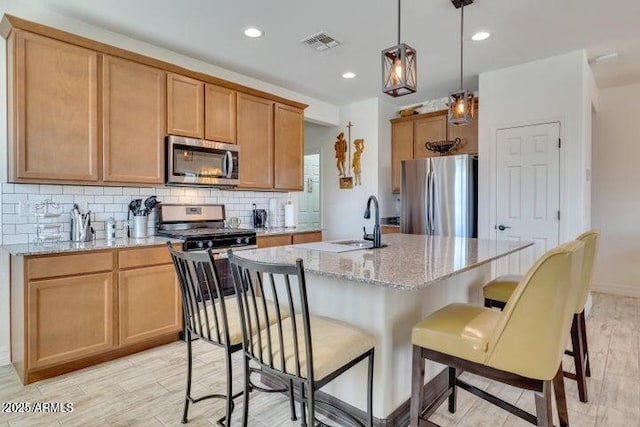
94	245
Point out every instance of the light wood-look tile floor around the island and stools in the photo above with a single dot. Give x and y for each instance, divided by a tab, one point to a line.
146	389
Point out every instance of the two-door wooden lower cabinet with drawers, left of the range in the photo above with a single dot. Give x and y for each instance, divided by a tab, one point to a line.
69	311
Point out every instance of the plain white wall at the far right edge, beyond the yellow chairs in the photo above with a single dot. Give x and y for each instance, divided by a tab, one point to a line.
616	195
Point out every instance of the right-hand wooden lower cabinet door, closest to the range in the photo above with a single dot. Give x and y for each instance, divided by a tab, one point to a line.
149	303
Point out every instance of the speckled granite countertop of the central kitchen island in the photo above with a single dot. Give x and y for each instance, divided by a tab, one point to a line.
408	262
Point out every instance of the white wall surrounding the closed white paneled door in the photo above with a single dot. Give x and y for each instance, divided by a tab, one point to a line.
552	89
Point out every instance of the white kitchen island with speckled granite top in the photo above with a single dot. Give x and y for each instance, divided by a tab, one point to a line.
385	292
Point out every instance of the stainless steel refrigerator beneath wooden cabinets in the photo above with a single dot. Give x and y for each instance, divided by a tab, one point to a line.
440	196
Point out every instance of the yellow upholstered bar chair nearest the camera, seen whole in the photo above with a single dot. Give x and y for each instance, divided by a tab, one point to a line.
521	346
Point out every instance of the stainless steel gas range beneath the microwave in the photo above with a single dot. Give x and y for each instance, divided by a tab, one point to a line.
203	227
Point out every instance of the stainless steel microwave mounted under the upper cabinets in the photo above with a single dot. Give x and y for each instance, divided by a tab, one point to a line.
199	162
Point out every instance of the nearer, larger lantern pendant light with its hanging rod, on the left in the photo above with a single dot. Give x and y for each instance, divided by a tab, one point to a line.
399	68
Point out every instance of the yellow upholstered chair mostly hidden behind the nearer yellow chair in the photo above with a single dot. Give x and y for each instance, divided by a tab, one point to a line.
498	291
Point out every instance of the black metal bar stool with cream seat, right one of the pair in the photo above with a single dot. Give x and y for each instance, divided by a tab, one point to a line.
309	351
